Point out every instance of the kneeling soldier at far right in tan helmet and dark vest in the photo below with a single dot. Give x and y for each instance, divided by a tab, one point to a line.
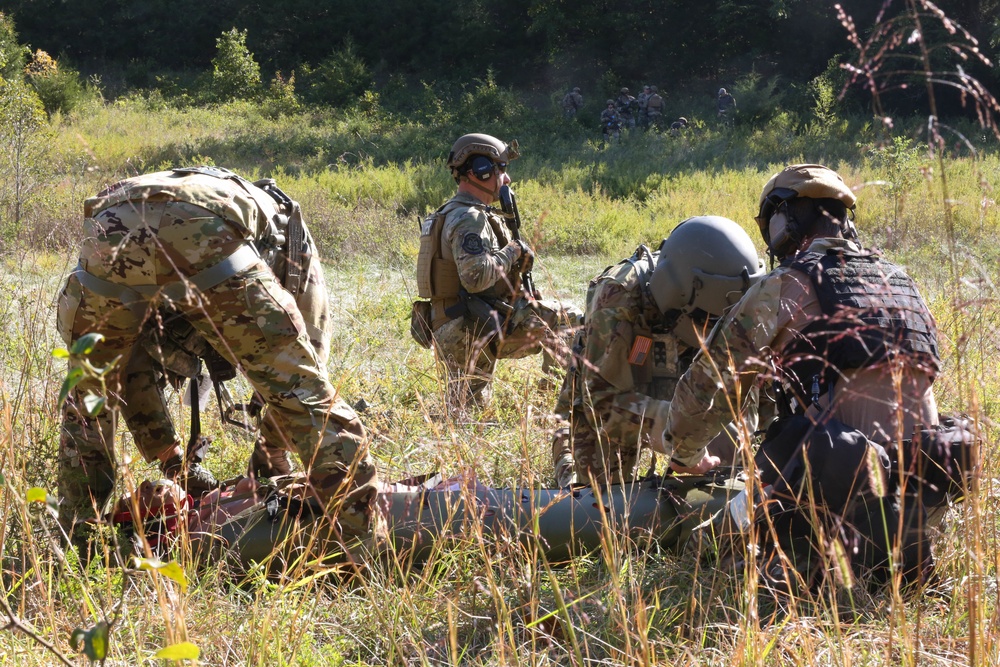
850	350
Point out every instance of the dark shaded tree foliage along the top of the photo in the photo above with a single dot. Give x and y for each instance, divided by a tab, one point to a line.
532	44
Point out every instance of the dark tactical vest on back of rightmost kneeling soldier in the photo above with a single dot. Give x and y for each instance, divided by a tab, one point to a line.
873	313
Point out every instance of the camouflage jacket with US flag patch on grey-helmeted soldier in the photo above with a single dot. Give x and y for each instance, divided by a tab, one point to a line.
617	390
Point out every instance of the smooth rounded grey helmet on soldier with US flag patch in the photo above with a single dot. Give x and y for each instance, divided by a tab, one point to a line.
705	266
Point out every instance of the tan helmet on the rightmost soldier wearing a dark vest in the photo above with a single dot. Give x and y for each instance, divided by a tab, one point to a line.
813	181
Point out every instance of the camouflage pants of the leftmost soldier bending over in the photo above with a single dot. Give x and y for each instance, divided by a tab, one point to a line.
249	319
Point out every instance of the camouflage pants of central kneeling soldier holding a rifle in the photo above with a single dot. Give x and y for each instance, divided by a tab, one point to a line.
470	358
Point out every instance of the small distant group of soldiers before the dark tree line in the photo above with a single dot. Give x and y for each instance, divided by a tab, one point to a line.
645	111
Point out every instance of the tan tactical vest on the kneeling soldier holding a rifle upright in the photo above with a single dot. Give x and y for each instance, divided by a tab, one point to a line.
437	272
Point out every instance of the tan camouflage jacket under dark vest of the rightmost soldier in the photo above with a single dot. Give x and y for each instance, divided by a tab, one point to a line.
747	343
